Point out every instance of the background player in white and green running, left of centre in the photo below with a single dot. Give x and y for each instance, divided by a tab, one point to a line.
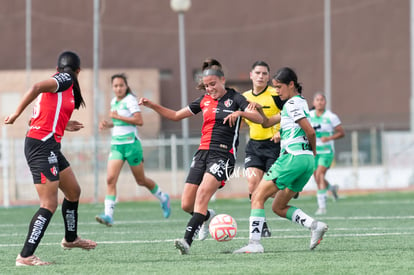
125	116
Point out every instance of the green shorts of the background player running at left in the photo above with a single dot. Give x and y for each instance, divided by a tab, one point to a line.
131	152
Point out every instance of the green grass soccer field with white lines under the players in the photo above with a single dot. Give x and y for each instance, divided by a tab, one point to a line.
368	234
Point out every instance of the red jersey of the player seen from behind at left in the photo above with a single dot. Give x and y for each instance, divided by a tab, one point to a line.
52	111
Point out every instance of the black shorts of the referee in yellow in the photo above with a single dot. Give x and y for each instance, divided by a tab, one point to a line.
261	154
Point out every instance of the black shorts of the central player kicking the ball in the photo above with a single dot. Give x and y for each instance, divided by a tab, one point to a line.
219	164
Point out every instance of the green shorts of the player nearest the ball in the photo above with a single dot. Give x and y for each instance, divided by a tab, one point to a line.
292	172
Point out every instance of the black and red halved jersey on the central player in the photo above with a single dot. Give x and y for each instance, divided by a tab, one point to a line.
214	134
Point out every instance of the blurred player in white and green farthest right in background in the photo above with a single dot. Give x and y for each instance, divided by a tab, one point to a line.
328	128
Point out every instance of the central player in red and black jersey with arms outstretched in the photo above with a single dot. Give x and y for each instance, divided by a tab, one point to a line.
213	163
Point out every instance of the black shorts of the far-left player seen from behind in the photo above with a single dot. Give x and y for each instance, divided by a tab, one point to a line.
45	159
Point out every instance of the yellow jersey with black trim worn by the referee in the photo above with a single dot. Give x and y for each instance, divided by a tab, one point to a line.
272	105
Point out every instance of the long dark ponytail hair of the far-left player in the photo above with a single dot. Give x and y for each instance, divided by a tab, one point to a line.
69	62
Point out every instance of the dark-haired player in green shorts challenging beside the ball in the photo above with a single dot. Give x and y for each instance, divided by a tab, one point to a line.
292	170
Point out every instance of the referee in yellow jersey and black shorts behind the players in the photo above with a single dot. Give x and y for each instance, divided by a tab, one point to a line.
263	147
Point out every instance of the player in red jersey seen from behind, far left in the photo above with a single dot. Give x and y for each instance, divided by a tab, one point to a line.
57	97
